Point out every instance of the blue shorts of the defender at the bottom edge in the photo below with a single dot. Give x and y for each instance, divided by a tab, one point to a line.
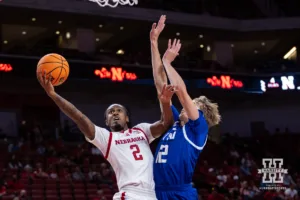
176	192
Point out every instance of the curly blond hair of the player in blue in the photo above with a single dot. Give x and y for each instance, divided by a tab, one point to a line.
209	109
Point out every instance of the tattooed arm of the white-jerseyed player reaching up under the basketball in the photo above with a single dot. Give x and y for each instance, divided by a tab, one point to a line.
84	124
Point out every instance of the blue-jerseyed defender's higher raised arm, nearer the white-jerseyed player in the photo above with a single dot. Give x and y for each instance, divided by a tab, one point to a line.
159	75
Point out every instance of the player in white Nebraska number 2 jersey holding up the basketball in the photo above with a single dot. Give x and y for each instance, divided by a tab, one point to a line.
126	149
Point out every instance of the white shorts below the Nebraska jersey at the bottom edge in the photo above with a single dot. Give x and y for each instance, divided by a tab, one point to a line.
130	193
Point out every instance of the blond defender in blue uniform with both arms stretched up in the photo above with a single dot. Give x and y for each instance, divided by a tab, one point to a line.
178	150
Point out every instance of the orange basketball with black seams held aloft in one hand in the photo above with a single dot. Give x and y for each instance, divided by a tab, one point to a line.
56	65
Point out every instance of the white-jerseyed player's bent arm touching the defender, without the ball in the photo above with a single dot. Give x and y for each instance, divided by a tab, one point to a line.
161	126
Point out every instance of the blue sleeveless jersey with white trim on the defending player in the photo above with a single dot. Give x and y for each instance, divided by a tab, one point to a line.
178	151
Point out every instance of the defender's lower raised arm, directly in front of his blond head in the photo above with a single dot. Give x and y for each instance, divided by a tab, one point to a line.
176	80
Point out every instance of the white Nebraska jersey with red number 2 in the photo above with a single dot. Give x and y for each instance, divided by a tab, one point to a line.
129	155
